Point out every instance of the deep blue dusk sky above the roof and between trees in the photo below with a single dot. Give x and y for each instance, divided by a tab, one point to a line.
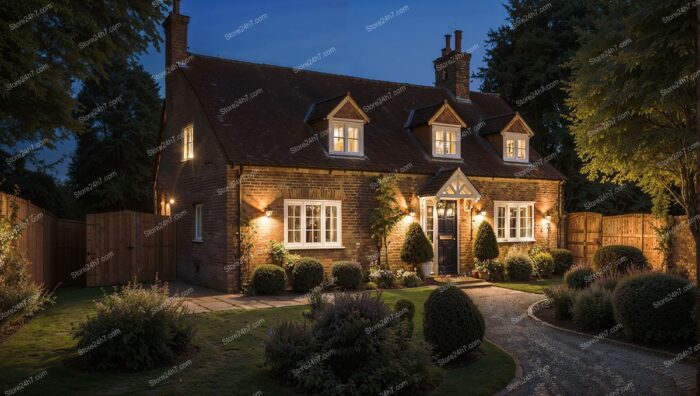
292	31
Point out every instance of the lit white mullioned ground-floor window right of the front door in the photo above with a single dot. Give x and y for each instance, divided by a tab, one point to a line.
514	221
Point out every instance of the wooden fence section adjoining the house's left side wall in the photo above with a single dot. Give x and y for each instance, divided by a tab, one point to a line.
121	246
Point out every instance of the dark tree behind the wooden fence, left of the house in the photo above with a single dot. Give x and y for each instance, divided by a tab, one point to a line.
112	169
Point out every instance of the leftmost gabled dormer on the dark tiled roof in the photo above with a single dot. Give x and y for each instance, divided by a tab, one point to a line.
340	124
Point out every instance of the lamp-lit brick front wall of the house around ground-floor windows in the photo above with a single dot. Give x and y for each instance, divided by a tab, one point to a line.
268	187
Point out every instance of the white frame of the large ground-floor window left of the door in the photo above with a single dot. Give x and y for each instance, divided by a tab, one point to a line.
313	245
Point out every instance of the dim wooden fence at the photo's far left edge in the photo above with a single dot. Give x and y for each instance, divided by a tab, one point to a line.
54	247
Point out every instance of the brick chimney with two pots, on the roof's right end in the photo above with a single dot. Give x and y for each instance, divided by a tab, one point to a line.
452	68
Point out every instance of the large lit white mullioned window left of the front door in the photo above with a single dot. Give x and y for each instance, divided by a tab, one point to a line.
310	224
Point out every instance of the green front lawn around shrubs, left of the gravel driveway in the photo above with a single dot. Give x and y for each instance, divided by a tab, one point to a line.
38	350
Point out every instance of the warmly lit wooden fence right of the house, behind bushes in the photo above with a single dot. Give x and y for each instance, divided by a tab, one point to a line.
588	231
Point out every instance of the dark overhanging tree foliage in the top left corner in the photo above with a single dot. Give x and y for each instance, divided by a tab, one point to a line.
50	46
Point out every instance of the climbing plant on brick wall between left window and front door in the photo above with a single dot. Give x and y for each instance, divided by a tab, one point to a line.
385	215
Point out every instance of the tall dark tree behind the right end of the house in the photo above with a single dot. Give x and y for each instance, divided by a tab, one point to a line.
528	55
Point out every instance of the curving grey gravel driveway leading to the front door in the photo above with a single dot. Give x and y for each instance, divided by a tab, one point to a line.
554	363
